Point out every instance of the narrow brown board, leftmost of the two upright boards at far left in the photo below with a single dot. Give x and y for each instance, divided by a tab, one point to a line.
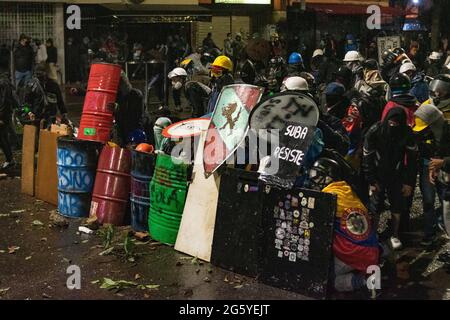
28	151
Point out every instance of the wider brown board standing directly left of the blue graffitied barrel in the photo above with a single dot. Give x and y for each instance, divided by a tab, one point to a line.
47	176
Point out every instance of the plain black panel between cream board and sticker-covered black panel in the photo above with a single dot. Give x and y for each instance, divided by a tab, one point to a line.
238	230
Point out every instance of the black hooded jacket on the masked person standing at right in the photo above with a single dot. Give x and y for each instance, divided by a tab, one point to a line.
390	153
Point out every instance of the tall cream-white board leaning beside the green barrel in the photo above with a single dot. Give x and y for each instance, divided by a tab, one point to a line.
196	231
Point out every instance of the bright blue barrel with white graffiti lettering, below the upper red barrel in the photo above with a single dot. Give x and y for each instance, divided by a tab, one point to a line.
77	164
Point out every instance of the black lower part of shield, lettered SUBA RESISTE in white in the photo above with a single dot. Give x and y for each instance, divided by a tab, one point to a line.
288	156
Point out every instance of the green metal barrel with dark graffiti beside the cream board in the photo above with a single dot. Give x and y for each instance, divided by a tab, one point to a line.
168	190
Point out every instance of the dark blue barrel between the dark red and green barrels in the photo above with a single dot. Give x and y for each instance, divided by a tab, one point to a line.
142	168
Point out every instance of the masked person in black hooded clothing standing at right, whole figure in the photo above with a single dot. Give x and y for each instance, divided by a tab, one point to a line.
389	164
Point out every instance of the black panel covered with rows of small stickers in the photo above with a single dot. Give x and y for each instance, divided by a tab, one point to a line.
298	232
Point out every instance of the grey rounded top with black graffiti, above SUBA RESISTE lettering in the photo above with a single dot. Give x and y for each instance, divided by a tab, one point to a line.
281	108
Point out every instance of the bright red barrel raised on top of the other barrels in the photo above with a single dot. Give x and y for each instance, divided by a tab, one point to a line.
97	118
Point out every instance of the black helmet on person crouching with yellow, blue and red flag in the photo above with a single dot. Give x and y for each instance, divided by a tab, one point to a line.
323	172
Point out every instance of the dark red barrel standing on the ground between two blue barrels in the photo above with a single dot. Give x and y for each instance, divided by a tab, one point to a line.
112	185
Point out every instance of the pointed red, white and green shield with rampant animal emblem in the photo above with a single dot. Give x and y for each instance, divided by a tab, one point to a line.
229	124
